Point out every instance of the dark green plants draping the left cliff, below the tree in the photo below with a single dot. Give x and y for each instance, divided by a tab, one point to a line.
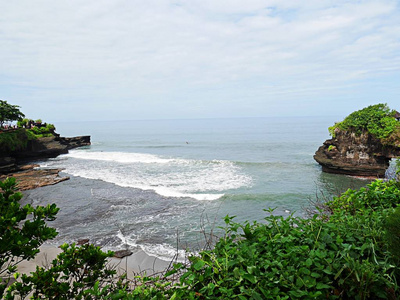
14	140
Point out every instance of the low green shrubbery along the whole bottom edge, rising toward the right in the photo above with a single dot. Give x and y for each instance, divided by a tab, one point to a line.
346	254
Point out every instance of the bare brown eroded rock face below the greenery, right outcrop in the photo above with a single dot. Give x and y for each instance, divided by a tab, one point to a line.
357	155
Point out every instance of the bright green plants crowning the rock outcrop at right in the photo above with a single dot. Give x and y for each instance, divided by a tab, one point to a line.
378	120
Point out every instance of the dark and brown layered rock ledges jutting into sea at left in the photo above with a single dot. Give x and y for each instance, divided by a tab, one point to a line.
18	164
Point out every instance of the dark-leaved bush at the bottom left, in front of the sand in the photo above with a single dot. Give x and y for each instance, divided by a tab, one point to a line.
71	275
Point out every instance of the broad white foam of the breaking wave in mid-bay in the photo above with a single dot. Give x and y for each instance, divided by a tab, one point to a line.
180	178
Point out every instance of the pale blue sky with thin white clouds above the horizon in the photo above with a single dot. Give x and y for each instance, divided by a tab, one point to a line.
127	59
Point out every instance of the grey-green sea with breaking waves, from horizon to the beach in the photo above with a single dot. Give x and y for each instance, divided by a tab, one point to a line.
158	185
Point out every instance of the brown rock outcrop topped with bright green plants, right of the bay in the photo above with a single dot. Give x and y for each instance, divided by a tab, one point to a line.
362	144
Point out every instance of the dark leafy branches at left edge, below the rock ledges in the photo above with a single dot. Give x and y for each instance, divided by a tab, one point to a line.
22	229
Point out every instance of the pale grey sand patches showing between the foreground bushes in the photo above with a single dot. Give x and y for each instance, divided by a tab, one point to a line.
137	263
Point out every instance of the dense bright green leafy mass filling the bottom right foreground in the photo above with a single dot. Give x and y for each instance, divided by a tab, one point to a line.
341	256
